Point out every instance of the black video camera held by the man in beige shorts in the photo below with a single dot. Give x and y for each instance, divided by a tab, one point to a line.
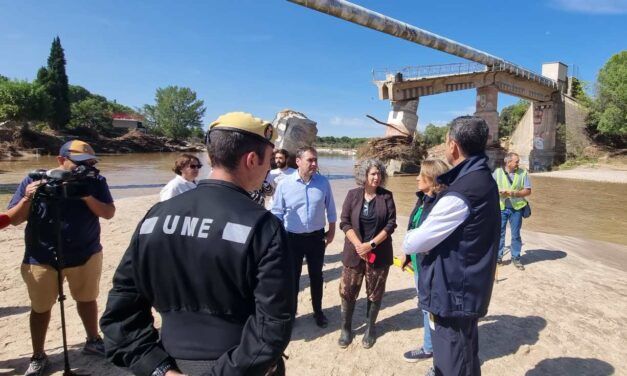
64	184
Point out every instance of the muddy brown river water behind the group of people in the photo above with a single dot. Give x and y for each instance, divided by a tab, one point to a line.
576	208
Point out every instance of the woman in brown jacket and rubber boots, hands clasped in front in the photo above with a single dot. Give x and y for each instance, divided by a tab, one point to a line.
368	219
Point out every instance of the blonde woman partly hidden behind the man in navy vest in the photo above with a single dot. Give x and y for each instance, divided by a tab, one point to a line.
428	188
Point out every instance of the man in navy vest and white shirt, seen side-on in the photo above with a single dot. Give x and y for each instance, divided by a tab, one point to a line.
460	241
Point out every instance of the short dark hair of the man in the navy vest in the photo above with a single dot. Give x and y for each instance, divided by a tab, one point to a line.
470	133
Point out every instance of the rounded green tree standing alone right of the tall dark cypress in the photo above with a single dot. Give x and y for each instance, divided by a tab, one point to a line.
177	112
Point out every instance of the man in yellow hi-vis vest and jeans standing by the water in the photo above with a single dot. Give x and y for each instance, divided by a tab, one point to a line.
514	186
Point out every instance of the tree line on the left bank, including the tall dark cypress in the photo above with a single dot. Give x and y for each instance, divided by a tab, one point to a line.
51	102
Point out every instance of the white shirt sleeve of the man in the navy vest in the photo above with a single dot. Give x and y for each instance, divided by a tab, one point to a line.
447	214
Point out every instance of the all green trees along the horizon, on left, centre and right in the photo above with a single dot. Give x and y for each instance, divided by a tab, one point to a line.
52	102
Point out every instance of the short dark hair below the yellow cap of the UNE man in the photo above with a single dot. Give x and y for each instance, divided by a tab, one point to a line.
225	148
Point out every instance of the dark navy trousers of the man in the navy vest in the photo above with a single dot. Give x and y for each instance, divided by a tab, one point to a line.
455	347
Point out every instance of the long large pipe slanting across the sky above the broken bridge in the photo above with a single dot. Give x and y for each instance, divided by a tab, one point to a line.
377	21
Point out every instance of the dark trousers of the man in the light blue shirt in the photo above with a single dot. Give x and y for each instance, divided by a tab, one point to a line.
312	246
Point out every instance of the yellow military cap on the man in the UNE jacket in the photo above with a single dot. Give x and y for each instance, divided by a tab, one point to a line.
246	123
